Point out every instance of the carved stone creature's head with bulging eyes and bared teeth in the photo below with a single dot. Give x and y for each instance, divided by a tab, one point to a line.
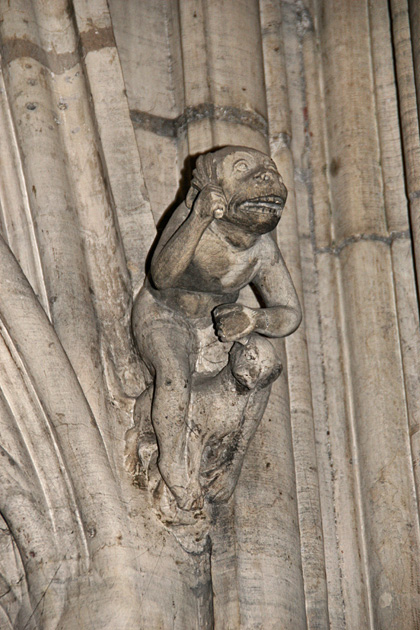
249	179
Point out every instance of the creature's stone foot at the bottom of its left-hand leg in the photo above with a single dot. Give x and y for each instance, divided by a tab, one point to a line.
186	490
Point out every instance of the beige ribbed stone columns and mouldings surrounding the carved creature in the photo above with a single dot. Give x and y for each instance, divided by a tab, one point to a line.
101	104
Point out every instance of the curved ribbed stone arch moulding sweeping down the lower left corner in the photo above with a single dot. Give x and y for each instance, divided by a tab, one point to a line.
58	494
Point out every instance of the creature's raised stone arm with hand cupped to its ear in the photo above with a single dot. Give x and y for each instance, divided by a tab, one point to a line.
173	257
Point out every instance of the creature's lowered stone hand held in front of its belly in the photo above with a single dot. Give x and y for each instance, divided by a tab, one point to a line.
234	321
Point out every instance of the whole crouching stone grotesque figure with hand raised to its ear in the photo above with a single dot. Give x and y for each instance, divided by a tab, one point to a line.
209	358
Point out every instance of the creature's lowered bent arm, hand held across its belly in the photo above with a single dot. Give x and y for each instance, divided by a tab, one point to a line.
282	313
